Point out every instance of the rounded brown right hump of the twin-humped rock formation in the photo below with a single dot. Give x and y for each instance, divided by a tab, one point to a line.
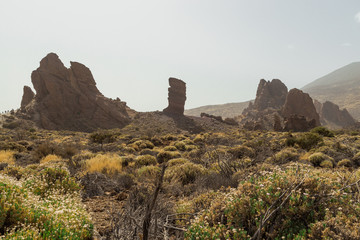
300	104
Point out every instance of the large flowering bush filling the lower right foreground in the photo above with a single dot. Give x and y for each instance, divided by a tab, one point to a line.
283	204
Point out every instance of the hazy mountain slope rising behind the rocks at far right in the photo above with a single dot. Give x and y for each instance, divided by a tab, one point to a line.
341	87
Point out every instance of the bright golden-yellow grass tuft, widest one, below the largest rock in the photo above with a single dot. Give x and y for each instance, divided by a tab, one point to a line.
108	163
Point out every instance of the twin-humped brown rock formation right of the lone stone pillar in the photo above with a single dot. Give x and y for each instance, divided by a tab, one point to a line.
277	109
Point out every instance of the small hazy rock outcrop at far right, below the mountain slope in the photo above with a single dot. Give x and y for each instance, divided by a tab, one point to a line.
330	112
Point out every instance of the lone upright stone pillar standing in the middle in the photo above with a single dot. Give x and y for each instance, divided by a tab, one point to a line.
177	97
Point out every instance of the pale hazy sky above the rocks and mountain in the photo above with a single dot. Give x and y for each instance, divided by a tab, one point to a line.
220	48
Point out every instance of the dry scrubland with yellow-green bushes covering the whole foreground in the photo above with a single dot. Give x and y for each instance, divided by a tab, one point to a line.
232	184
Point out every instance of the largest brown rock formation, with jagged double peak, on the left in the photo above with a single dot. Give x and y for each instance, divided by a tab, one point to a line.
69	99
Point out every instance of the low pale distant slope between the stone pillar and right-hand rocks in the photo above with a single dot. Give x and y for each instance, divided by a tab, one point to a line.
224	110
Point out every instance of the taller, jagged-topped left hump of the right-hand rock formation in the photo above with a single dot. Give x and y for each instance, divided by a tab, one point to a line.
270	94
